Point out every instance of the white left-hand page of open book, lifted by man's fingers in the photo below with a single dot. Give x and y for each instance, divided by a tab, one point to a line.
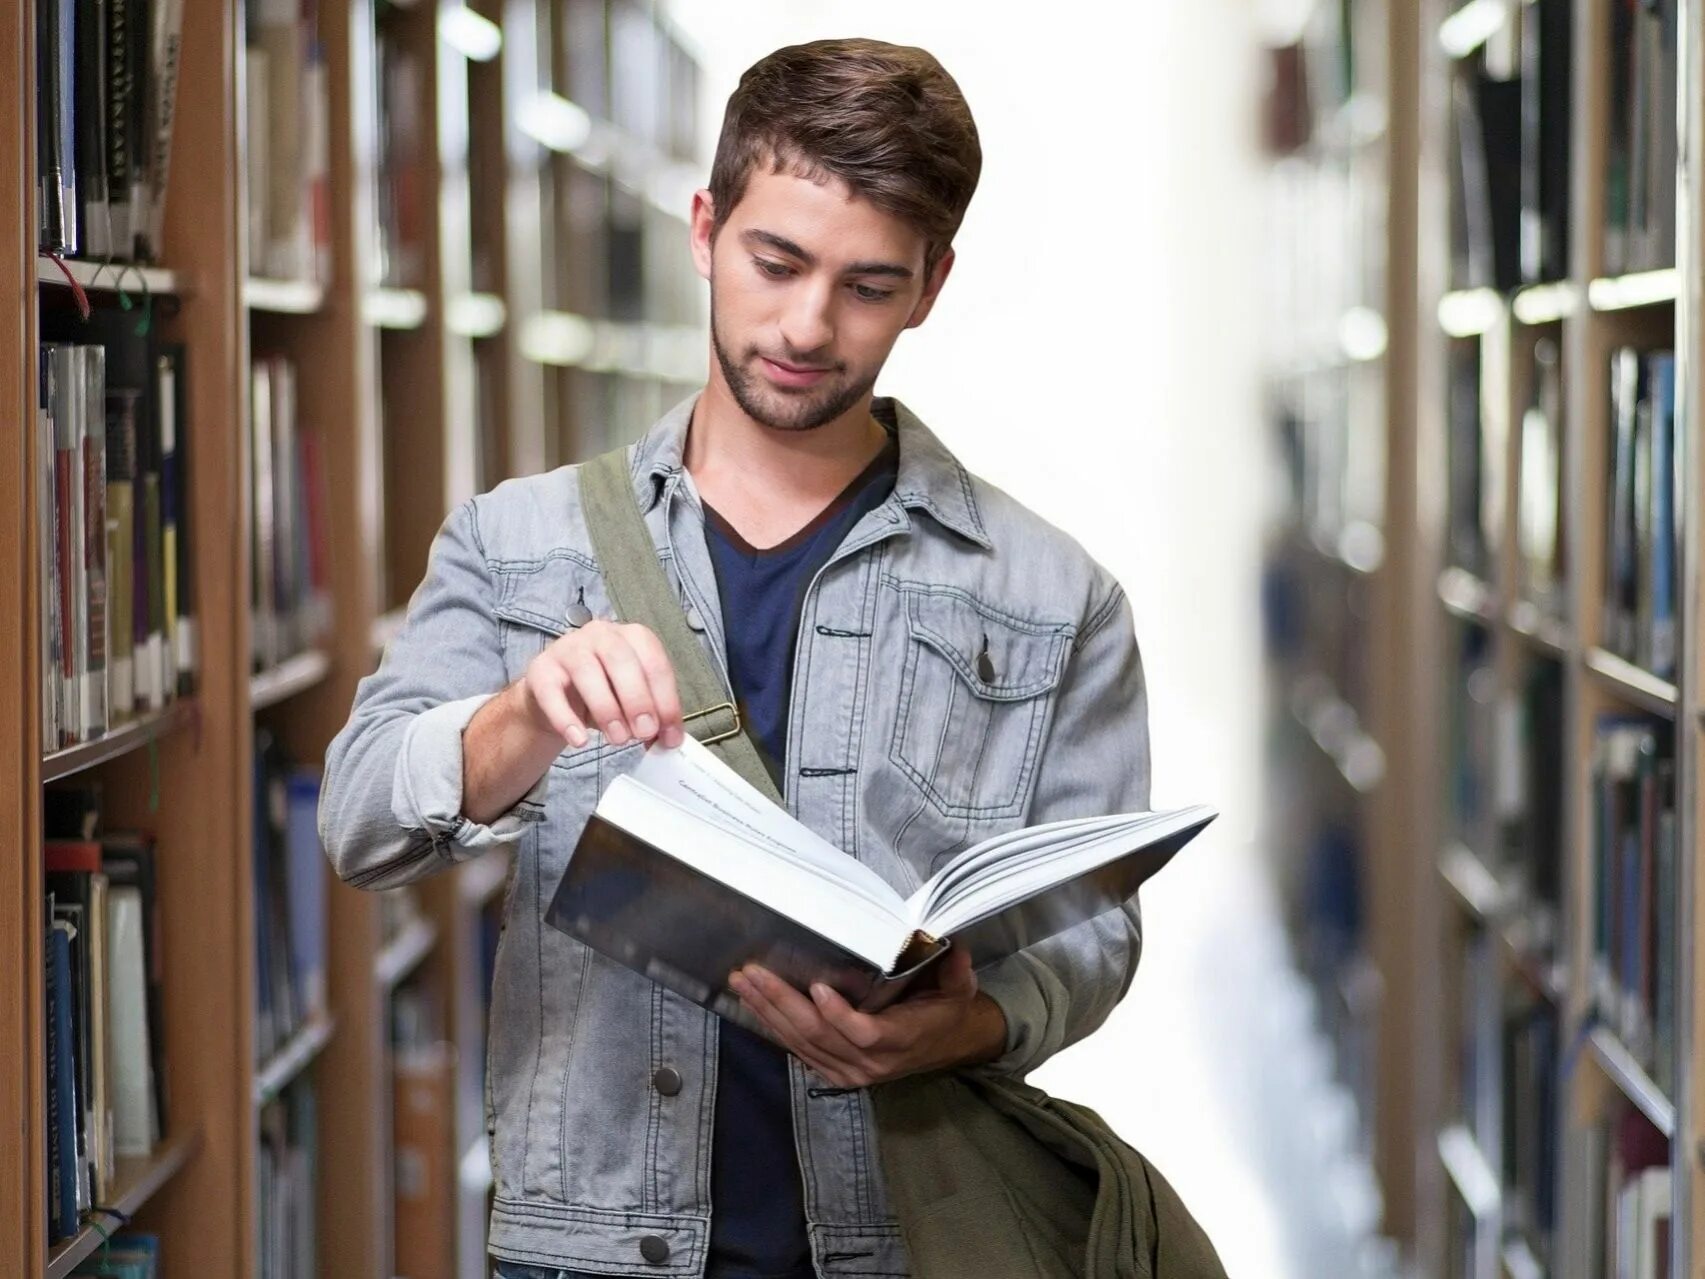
695	780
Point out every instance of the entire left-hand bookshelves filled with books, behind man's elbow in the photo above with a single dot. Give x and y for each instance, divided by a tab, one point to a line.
274	270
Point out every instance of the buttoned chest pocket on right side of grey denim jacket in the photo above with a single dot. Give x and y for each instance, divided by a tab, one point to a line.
976	693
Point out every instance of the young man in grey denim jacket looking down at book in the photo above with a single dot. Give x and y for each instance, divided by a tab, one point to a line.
922	661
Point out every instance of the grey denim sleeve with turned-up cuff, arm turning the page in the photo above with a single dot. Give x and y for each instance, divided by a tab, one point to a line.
391	802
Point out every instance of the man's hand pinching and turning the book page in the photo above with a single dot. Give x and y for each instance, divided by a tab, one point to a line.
608	676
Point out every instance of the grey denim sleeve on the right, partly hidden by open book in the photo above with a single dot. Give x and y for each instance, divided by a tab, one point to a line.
1095	761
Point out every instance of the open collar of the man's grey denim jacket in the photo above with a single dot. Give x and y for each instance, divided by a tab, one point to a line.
930	478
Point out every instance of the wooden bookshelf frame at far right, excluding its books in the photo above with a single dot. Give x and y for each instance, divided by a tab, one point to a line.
1542	961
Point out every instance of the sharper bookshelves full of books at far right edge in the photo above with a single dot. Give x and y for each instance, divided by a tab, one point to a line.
1558	424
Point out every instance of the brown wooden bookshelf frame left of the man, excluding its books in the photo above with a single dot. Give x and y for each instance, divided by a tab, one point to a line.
420	395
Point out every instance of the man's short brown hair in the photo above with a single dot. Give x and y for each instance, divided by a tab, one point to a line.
884	119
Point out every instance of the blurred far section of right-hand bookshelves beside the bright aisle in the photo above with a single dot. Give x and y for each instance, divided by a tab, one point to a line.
1341	557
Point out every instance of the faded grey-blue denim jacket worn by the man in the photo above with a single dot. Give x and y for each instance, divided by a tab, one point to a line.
903	748
